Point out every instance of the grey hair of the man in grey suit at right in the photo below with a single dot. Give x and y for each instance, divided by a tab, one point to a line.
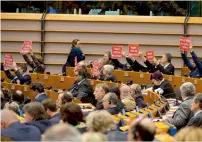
187	89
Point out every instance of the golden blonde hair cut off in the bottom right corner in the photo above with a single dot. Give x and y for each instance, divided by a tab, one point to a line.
189	134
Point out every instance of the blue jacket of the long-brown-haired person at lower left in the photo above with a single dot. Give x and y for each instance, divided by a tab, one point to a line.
42	125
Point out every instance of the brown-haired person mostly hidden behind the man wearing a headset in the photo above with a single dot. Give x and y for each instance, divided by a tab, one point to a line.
115	89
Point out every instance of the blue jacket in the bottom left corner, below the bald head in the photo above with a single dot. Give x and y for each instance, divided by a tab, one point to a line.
21	132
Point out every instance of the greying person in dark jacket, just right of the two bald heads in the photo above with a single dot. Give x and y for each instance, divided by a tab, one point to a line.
136	92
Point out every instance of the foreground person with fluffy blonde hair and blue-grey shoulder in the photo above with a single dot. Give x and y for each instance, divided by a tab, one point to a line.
102	122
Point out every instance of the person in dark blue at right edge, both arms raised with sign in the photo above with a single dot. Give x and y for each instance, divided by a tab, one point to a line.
196	66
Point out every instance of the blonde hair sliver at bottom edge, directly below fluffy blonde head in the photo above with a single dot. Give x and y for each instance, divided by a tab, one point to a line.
93	137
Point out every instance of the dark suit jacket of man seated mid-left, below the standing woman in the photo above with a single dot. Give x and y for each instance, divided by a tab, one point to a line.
83	91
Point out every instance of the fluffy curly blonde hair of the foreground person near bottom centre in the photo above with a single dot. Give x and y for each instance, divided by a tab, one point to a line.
100	121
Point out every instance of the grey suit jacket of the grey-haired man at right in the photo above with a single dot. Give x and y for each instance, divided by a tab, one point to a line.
182	115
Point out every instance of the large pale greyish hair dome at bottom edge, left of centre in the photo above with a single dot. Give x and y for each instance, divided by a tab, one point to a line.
62	132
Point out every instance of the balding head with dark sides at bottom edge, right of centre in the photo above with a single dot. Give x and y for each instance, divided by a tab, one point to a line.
141	129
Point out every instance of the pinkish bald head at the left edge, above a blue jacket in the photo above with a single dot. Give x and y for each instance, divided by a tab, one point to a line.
7	117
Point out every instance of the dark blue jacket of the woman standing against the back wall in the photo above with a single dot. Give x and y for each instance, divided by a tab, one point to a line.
75	52
